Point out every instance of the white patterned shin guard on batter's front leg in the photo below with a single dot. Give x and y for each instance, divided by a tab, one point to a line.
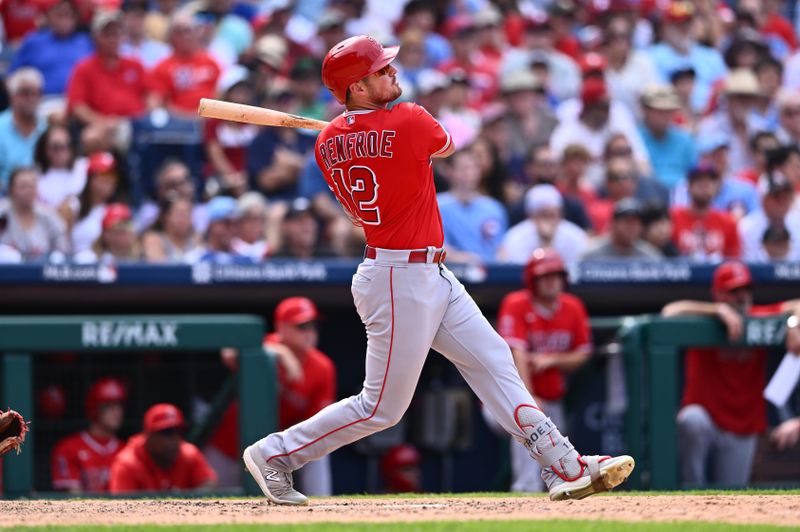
546	443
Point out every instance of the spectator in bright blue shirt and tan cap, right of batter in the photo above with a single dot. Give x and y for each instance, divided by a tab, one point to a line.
671	149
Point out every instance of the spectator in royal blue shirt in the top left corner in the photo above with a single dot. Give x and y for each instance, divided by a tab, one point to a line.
55	49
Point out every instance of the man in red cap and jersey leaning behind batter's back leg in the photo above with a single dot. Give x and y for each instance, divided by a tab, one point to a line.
306	384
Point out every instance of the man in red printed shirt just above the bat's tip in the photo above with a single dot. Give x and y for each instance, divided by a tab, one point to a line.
189	74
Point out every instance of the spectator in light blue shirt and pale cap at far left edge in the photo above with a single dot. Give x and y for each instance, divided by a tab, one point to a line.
20	127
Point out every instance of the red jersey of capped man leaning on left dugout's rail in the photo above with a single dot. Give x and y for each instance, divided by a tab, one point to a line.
297	401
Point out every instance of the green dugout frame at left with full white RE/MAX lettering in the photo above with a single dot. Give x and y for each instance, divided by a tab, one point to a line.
22	336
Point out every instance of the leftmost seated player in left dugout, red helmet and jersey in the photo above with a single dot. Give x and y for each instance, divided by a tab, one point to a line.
81	463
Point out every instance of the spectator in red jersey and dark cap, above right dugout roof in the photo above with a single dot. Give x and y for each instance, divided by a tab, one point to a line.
701	232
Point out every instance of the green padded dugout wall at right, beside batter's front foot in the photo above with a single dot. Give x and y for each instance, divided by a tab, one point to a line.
652	348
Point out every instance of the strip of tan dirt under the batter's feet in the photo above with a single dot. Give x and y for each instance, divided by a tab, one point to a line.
753	509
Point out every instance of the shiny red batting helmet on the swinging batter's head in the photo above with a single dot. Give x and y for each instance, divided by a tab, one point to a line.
354	59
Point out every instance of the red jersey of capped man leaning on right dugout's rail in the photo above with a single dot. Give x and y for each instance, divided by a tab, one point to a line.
729	382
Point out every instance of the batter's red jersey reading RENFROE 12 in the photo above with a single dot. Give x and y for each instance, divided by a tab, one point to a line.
378	163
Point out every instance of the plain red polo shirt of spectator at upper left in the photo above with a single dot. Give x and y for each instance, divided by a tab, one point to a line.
119	91
